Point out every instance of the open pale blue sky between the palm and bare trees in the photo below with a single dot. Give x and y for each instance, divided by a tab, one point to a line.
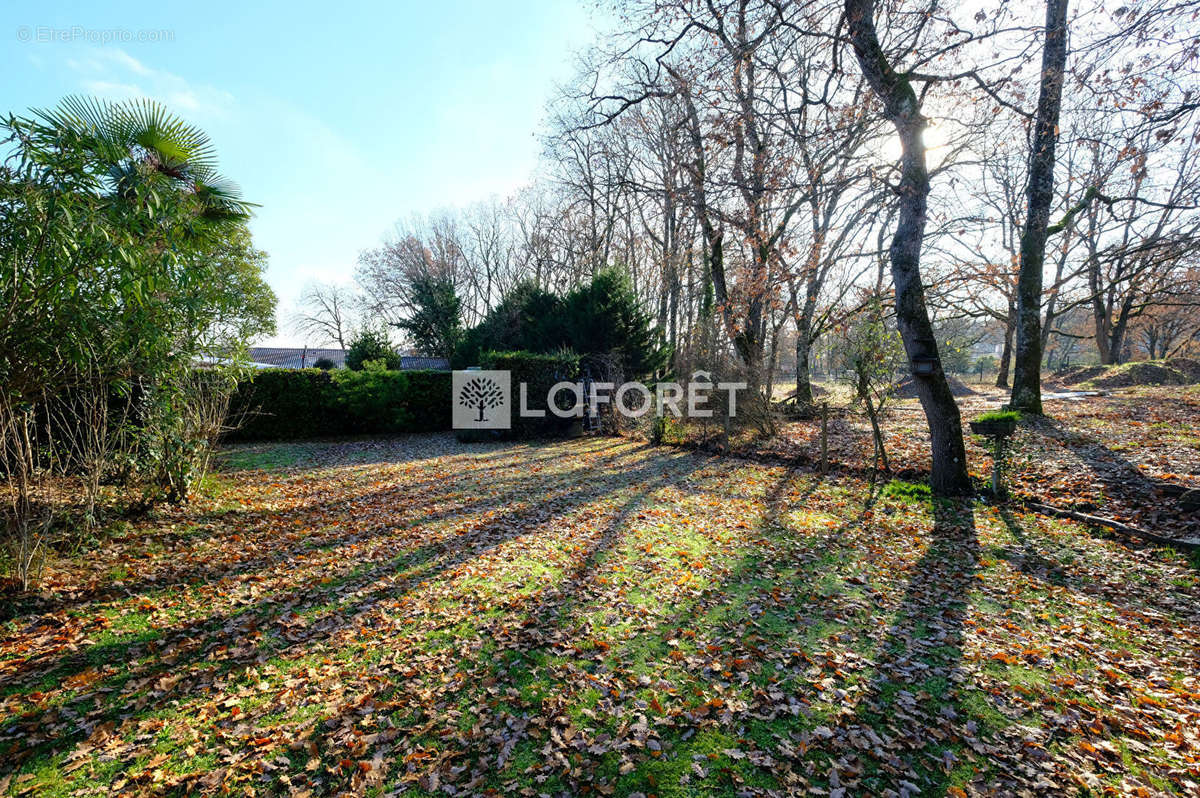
339	118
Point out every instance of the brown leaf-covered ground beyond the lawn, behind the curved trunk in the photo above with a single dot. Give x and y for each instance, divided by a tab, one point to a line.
1111	455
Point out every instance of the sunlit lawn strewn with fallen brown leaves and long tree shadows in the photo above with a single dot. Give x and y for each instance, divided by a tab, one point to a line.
598	617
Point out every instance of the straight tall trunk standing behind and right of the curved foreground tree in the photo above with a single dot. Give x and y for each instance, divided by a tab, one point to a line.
1040	196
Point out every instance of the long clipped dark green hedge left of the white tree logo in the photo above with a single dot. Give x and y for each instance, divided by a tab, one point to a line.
280	405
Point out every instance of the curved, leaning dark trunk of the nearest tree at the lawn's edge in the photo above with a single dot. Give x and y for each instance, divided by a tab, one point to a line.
950	463
